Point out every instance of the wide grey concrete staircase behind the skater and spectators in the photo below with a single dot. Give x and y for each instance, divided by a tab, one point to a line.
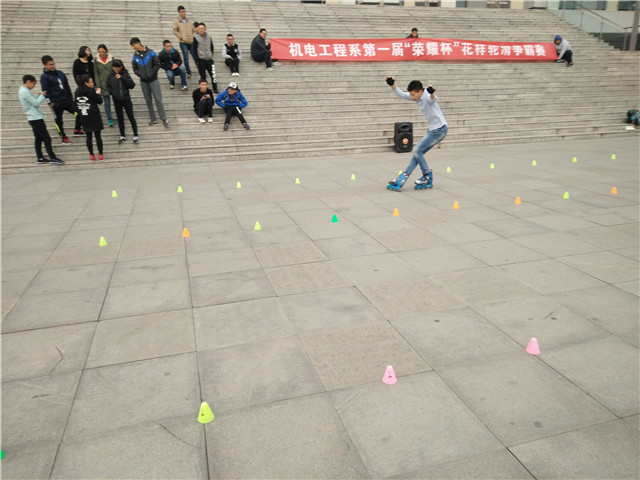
319	109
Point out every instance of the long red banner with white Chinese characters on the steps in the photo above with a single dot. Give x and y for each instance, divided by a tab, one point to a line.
406	49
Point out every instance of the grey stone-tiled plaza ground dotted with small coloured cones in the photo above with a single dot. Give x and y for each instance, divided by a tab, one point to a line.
107	351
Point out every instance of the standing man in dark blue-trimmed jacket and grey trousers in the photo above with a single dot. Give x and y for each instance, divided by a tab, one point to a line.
146	65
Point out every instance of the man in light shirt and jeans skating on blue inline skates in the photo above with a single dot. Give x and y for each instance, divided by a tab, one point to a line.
428	106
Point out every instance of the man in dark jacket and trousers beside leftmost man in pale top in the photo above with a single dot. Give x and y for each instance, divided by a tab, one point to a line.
55	83
